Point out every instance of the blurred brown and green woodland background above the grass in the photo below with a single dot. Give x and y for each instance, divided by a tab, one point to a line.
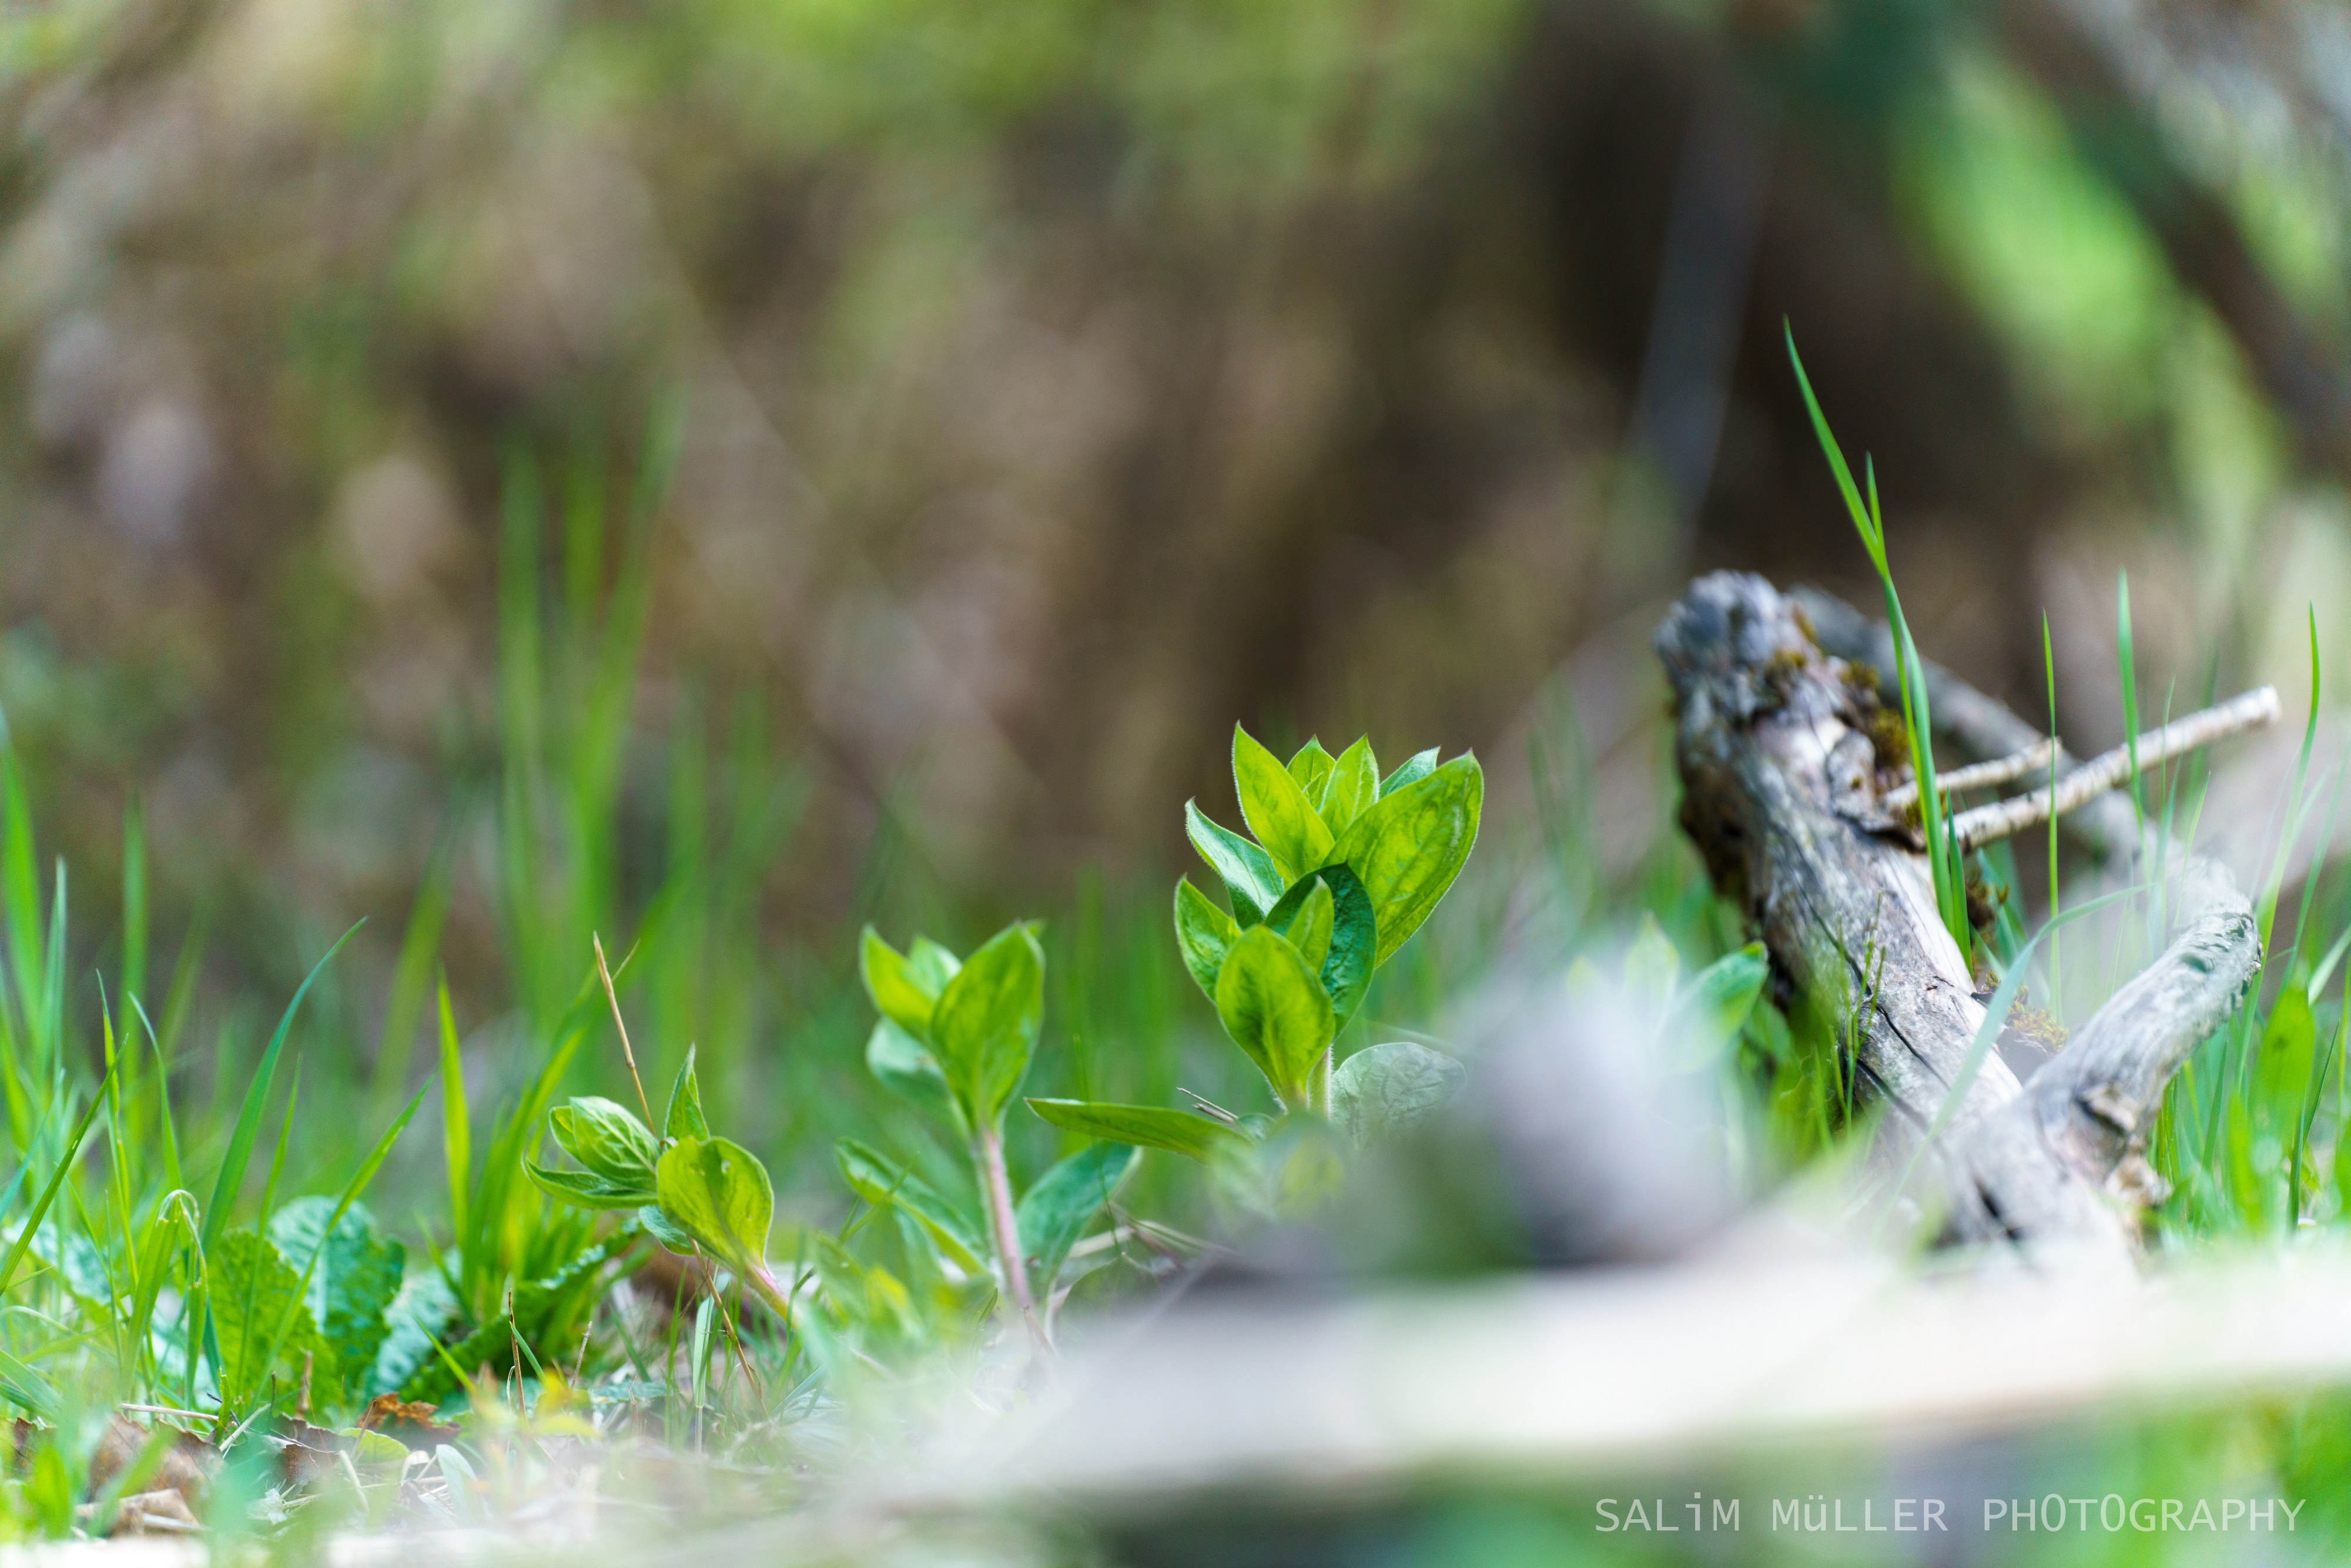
1066	382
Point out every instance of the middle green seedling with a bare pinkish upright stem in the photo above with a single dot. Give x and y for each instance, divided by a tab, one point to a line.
956	1038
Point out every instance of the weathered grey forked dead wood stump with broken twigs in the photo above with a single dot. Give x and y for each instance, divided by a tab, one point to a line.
1793	775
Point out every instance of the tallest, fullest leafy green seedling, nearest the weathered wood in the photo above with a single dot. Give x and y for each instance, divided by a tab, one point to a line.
1341	871
